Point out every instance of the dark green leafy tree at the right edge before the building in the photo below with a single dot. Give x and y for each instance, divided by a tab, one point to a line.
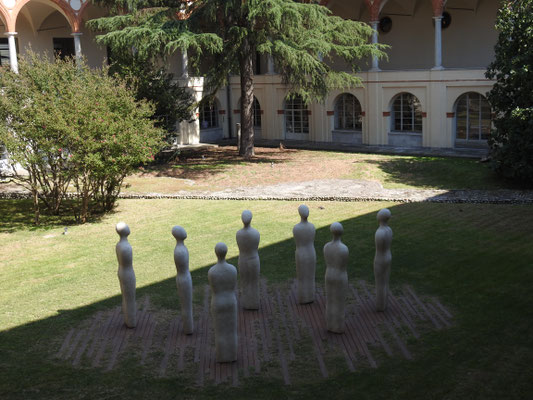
511	97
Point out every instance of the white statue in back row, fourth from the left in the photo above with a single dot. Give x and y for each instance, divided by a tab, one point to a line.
249	265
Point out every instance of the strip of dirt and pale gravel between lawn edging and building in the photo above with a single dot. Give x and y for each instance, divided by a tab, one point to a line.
280	173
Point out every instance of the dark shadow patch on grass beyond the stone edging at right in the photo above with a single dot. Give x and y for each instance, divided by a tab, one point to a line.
440	173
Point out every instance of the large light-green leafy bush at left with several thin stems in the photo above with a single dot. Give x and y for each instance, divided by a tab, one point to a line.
68	125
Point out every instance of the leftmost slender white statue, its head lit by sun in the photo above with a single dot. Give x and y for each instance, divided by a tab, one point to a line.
126	275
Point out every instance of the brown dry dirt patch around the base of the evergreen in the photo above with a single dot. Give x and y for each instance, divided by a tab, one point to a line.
222	167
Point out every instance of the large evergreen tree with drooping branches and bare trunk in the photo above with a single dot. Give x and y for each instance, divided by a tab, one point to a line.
301	37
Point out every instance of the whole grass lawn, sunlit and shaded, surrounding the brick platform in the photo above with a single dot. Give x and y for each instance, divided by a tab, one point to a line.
476	258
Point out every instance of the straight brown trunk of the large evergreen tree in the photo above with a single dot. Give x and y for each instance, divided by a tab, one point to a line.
247	99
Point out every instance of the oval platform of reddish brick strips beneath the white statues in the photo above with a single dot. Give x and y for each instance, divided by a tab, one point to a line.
272	337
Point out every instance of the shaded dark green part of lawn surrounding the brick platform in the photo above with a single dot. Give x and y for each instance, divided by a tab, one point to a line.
428	253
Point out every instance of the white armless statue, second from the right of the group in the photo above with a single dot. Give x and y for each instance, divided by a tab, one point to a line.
336	256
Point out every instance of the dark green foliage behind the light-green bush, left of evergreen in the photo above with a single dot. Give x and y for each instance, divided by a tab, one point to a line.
173	103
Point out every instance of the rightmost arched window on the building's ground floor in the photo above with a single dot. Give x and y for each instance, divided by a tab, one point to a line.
472	121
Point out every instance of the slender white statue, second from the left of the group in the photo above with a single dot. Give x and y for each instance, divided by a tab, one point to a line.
183	279
